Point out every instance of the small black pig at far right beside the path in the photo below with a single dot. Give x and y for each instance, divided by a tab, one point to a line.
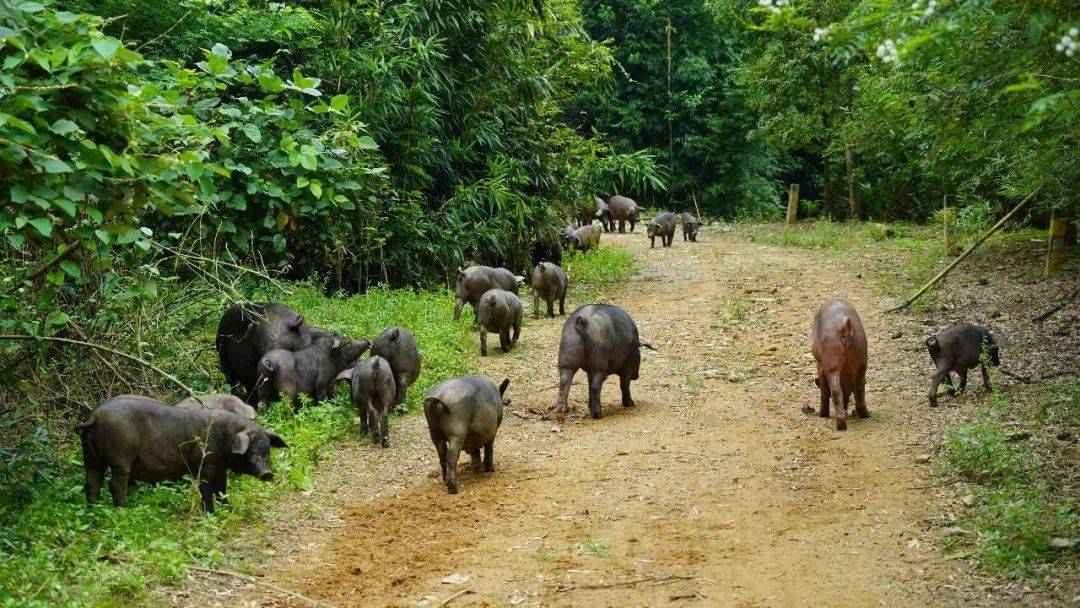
960	349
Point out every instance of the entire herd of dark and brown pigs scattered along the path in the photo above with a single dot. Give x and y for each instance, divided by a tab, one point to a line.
268	353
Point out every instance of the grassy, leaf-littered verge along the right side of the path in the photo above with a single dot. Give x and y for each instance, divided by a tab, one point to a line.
1015	454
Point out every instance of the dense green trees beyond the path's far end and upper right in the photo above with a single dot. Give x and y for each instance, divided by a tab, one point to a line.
875	107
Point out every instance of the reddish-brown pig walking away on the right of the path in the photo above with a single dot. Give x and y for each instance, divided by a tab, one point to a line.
840	348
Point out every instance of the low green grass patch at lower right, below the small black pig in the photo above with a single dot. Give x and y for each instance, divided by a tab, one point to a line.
1020	504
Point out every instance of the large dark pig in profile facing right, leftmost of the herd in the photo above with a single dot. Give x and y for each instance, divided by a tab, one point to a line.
139	439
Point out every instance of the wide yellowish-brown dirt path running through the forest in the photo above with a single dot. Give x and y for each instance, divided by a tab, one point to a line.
715	491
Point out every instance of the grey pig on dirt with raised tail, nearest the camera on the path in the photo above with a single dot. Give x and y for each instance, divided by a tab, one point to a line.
464	414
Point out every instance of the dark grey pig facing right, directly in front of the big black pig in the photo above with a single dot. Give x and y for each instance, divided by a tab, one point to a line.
310	371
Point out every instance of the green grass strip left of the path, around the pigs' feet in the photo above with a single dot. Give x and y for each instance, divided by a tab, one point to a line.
59	551
